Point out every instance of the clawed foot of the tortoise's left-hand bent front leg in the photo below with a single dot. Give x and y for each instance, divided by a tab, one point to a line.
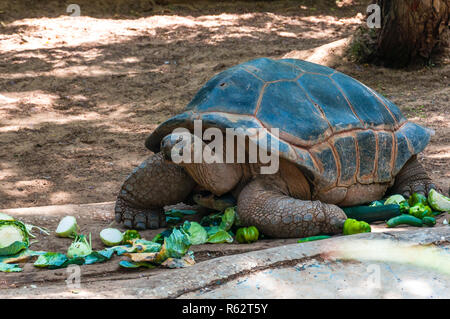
138	218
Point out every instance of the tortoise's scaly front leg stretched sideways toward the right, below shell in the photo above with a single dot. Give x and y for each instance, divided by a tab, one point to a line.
274	213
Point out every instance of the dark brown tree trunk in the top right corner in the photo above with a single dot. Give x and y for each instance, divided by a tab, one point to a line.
411	31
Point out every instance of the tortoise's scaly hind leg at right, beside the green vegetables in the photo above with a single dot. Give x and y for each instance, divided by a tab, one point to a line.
412	179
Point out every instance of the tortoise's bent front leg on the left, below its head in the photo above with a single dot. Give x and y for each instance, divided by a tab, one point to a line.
154	184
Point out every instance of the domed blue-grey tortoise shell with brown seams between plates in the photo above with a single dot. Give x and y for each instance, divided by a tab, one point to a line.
336	129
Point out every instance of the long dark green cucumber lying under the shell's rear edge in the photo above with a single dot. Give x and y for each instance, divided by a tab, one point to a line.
372	214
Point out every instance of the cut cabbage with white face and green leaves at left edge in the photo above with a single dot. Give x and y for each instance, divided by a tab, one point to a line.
13	237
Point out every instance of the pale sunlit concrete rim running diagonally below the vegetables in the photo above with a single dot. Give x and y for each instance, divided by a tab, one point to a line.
177	282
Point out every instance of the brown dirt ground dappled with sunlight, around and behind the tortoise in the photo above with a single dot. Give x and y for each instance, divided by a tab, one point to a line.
79	95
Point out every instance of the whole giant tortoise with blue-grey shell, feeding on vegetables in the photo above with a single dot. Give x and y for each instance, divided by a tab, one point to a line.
340	143
